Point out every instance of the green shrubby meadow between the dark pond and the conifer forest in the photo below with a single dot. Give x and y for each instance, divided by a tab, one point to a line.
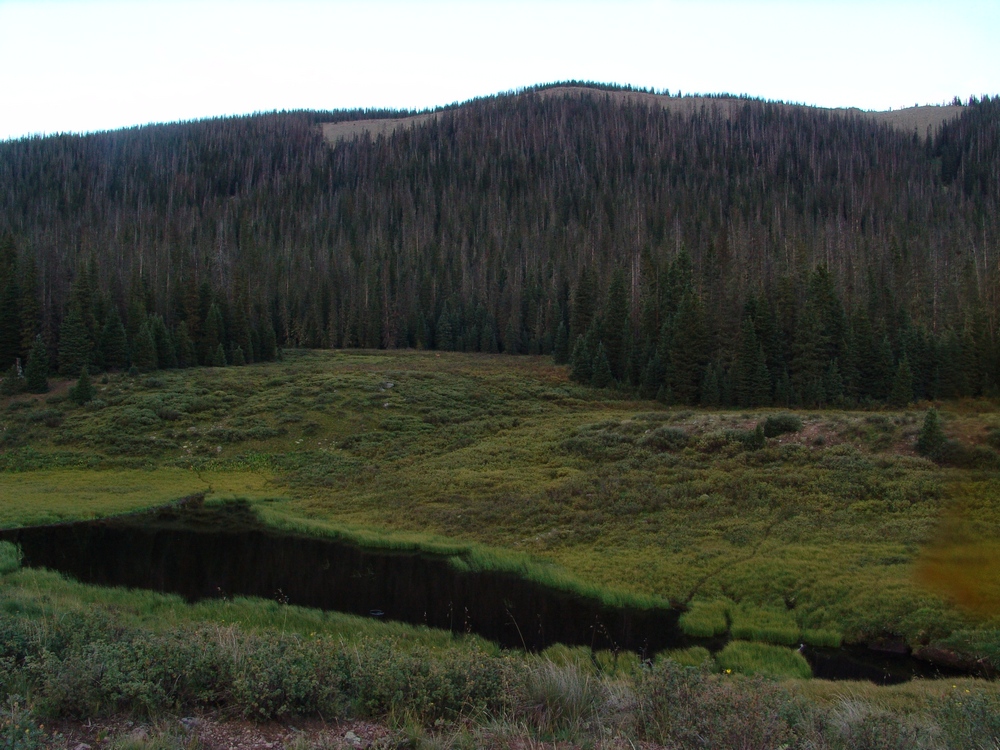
834	530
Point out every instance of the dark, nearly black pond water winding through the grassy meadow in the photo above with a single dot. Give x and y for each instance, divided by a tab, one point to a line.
207	552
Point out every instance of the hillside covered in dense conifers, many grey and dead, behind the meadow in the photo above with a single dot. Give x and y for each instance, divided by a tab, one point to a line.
769	254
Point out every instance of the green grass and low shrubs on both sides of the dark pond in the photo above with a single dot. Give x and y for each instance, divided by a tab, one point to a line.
823	527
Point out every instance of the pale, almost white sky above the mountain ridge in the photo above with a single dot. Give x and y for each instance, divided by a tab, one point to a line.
85	65
